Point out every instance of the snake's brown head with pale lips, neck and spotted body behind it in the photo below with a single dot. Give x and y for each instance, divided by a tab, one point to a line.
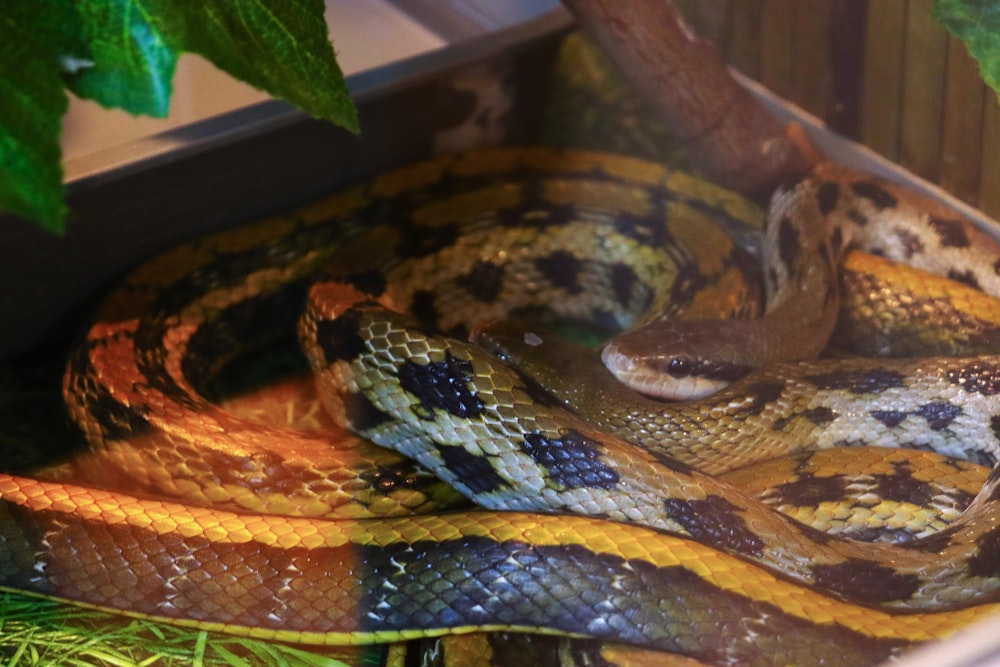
810	225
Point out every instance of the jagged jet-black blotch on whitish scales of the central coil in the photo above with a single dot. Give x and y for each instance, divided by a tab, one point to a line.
441	385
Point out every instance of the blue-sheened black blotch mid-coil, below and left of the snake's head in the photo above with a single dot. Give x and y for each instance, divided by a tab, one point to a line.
572	459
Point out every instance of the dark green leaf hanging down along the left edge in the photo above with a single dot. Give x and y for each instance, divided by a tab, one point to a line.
32	102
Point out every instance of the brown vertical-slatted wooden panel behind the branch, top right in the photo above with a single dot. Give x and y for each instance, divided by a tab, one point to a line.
881	72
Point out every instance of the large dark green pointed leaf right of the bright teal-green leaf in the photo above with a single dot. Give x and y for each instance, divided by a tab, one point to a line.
280	46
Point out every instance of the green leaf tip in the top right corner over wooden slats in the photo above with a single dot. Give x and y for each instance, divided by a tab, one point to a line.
977	23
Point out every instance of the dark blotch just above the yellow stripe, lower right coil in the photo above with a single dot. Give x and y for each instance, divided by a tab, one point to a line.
865	582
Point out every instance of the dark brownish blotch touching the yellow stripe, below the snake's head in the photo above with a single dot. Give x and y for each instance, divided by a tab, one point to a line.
716	522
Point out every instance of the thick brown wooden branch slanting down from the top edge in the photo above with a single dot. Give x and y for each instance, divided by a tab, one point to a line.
724	129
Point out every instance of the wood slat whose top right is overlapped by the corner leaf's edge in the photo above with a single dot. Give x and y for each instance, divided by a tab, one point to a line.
924	57
